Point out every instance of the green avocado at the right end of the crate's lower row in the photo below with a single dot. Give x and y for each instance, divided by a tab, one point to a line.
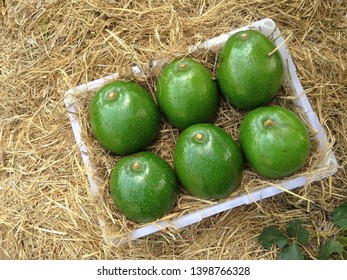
276	150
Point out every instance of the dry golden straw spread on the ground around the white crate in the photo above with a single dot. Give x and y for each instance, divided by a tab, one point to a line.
47	47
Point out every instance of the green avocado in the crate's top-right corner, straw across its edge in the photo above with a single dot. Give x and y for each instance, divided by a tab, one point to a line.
246	74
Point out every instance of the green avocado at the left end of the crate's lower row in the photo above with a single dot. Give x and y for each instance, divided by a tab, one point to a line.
147	193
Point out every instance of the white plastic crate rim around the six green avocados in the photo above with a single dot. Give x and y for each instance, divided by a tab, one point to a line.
327	167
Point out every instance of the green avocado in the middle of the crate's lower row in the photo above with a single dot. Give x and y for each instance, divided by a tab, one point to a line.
210	168
